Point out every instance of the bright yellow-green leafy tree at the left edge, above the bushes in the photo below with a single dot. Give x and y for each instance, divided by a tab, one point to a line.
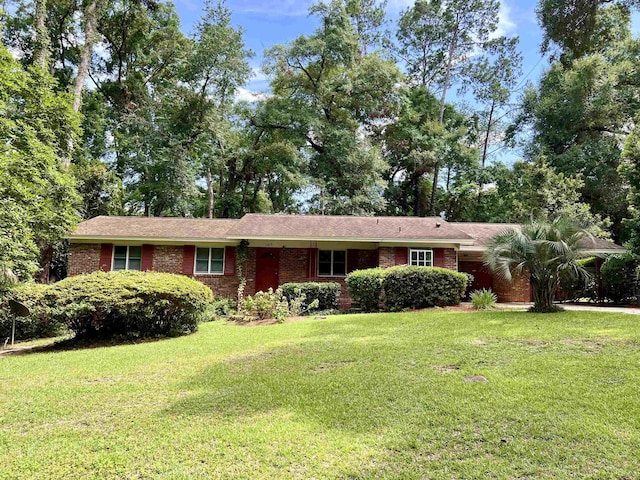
37	197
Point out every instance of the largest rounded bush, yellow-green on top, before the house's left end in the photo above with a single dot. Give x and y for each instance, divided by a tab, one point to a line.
137	304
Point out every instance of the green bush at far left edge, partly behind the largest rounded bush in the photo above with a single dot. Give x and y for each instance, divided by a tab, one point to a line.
38	324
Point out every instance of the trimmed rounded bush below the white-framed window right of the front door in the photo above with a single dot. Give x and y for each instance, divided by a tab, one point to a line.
420	287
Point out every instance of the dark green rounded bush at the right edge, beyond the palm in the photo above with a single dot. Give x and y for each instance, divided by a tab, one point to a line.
621	278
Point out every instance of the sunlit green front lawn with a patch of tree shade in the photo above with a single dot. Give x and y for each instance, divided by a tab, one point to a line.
361	396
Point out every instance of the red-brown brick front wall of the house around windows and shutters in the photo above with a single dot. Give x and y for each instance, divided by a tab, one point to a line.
296	265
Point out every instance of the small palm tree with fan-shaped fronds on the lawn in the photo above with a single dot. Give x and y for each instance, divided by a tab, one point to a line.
544	249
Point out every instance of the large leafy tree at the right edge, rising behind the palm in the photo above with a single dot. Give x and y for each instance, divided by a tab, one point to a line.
581	114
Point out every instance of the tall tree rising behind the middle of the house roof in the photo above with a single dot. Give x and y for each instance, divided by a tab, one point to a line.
329	96
